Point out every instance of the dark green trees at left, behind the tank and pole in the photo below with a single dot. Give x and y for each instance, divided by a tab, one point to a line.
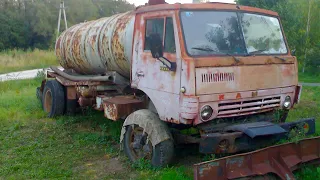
32	24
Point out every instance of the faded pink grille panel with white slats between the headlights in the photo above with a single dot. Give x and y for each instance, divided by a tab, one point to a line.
236	104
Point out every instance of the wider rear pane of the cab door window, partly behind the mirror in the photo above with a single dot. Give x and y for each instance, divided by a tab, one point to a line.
153	26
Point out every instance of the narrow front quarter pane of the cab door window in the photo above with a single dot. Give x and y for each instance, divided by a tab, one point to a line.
169	42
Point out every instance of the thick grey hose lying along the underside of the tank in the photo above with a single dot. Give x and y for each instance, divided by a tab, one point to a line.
81	77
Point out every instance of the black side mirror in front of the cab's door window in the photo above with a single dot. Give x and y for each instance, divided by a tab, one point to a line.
156	46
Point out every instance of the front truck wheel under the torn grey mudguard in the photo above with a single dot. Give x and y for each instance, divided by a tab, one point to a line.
137	145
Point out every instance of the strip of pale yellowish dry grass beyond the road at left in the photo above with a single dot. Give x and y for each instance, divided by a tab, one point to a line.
18	60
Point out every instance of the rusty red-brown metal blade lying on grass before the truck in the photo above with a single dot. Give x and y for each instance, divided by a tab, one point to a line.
280	160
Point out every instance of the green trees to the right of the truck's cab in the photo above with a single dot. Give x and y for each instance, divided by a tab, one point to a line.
294	17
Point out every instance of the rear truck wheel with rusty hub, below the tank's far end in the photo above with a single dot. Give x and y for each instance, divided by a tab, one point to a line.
53	100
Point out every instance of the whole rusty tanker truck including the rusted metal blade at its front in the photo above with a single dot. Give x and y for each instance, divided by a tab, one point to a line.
224	70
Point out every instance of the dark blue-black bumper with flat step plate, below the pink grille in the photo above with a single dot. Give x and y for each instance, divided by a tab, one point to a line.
242	137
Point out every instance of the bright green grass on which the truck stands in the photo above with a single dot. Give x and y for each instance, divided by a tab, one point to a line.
85	146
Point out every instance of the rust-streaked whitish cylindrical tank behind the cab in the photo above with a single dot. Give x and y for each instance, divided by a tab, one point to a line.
98	46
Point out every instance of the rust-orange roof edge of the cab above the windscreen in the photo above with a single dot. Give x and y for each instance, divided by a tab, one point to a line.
203	6
